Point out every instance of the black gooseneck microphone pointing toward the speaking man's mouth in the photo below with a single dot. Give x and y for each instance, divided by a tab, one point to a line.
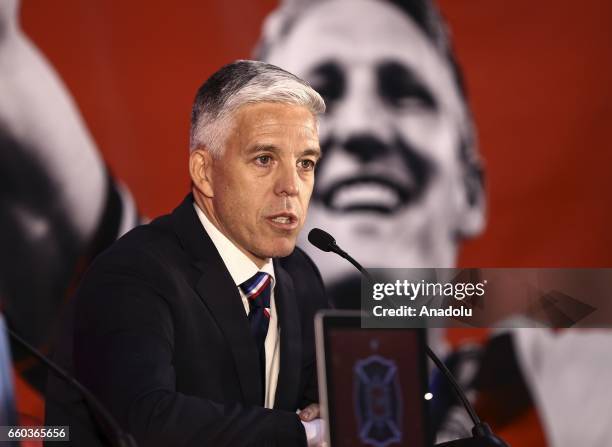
482	433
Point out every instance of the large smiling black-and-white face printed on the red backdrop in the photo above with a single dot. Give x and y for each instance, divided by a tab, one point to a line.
391	186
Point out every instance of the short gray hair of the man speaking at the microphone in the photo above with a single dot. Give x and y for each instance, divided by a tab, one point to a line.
238	84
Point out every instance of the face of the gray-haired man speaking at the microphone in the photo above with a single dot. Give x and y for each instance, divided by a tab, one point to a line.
261	185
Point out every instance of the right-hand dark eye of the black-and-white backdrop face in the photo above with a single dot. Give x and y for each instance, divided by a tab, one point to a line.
400	88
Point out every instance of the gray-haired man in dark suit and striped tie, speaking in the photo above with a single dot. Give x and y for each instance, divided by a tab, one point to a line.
196	330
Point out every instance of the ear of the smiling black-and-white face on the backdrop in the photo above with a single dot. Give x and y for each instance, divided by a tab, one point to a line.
471	199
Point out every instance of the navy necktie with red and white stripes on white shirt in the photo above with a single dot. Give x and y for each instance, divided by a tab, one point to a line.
257	289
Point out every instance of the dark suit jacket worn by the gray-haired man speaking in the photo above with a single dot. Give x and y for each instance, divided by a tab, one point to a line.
161	337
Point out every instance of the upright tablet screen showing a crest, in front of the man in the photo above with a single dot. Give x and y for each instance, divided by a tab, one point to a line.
374	383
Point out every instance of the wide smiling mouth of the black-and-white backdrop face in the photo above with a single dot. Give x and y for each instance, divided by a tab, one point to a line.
369	193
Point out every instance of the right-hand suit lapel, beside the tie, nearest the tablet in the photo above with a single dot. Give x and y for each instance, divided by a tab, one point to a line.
290	342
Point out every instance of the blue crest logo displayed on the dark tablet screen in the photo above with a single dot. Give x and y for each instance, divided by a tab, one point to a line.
378	403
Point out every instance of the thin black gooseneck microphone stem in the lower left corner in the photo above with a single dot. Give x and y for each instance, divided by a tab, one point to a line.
108	424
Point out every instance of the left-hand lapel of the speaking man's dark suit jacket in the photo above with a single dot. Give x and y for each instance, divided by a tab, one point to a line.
220	295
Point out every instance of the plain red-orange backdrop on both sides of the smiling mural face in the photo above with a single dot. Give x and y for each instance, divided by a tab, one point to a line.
539	76
